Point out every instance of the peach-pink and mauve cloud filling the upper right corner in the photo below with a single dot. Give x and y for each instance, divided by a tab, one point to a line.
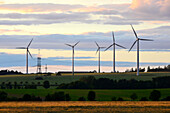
149	10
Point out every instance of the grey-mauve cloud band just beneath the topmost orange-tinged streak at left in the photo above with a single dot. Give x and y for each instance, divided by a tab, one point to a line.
52	18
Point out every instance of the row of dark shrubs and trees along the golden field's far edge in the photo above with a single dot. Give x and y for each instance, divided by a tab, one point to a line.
155	95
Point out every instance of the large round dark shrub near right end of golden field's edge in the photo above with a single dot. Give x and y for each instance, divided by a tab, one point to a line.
155	95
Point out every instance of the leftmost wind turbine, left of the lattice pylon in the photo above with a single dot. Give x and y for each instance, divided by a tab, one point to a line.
27	52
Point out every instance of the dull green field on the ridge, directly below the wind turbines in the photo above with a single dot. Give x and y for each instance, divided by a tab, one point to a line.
67	78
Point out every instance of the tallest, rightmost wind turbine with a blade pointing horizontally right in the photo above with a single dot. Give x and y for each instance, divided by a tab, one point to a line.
137	41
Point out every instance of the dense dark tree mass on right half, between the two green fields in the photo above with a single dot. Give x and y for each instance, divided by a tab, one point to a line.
105	83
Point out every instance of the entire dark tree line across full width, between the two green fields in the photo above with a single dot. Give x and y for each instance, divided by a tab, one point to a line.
91	82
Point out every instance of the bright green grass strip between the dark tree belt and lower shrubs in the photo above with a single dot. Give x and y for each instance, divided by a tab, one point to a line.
101	95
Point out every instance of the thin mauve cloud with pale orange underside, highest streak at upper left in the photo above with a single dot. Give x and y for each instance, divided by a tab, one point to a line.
27	8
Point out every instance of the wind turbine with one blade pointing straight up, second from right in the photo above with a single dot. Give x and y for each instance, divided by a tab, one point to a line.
114	44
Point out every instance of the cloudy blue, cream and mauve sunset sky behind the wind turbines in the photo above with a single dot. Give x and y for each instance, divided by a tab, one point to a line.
54	23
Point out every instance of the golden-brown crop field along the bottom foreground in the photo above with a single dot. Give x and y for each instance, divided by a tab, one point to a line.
85	107
